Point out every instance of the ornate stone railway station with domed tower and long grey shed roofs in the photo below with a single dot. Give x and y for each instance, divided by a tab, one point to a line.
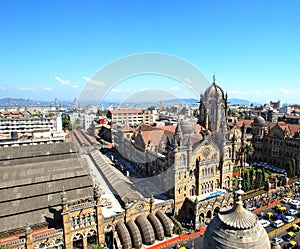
49	199
